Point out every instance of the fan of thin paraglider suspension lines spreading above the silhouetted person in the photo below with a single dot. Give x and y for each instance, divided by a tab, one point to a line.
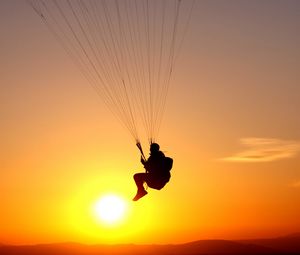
126	49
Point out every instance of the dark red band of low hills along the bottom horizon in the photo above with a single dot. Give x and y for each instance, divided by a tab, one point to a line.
282	245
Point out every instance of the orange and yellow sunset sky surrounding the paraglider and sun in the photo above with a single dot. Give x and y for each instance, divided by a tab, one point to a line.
231	124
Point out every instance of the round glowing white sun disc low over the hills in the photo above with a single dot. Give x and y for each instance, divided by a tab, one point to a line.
110	209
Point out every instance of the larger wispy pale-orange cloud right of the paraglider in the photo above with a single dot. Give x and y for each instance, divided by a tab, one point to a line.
265	150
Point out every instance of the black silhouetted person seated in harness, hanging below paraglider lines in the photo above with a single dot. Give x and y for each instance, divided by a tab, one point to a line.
157	172
